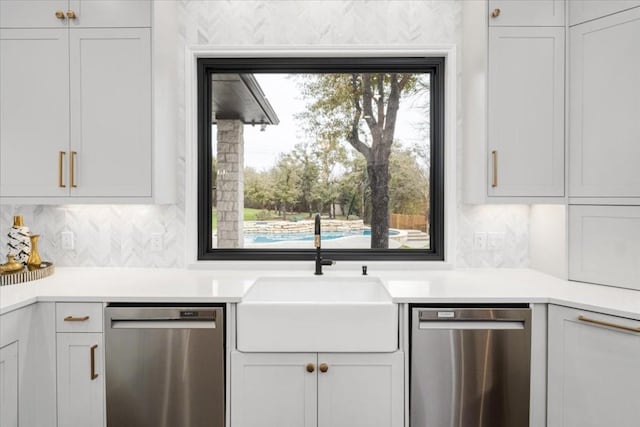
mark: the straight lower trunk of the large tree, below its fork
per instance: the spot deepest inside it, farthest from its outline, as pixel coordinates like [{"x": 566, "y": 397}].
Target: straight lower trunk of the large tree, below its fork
[{"x": 379, "y": 184}]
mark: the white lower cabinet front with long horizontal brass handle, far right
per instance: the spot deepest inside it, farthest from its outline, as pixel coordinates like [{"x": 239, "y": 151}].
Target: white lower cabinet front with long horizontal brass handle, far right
[{"x": 594, "y": 375}]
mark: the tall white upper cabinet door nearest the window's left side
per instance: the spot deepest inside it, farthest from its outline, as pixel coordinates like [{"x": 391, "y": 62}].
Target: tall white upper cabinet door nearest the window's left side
[{"x": 110, "y": 112}]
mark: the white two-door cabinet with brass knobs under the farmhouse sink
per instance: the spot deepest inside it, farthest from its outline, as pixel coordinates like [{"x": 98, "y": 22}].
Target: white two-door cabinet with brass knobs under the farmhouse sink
[{"x": 317, "y": 389}]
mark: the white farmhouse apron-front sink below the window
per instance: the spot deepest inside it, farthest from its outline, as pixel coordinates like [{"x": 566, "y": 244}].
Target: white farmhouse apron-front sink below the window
[{"x": 317, "y": 314}]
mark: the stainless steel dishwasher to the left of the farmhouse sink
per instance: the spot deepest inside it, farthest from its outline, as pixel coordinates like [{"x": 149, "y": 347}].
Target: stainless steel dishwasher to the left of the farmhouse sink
[{"x": 164, "y": 366}]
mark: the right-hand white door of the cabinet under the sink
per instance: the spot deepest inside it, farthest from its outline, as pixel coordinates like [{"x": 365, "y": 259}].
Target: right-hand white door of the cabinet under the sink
[{"x": 360, "y": 390}]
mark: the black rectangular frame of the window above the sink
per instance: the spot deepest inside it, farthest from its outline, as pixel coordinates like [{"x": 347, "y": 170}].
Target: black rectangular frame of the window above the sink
[{"x": 433, "y": 65}]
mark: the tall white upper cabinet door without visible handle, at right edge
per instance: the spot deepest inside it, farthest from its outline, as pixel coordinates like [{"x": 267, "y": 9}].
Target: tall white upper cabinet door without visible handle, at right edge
[{"x": 604, "y": 96}]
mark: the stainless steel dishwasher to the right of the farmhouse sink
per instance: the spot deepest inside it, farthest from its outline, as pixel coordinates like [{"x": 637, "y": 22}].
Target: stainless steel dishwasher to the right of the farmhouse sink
[{"x": 470, "y": 367}]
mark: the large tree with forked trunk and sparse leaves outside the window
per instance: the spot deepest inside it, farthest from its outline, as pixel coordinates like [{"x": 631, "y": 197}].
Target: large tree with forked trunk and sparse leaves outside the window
[{"x": 339, "y": 104}]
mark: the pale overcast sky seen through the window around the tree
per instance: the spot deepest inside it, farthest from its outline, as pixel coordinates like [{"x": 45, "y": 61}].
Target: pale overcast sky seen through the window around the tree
[{"x": 262, "y": 149}]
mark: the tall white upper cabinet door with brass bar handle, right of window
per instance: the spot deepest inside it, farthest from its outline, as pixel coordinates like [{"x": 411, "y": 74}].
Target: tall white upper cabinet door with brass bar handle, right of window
[{"x": 526, "y": 112}]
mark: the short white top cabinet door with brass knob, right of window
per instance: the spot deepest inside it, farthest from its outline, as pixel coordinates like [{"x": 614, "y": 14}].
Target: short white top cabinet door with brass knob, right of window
[{"x": 526, "y": 13}]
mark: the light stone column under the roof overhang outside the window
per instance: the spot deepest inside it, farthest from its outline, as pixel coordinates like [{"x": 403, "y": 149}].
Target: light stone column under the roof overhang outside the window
[{"x": 230, "y": 184}]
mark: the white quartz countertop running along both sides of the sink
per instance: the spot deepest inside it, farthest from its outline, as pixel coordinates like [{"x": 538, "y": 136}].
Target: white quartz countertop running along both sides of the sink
[{"x": 405, "y": 286}]
